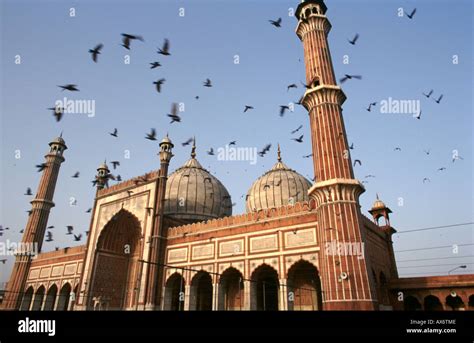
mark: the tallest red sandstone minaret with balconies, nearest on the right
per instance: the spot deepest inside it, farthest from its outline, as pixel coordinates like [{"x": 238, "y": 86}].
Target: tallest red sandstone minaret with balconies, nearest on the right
[{"x": 346, "y": 282}]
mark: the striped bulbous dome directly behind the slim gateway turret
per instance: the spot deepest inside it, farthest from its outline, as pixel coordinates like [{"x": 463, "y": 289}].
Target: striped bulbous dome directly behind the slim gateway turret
[{"x": 193, "y": 194}]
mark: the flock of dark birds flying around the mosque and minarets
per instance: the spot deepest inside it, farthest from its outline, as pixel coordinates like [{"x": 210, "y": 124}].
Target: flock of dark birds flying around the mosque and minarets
[{"x": 174, "y": 115}]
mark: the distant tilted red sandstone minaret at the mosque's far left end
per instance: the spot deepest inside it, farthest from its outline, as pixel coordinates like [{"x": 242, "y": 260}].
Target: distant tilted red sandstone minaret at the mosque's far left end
[{"x": 36, "y": 226}]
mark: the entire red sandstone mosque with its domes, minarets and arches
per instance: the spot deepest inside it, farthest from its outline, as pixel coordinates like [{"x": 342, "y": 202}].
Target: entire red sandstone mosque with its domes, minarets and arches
[{"x": 170, "y": 242}]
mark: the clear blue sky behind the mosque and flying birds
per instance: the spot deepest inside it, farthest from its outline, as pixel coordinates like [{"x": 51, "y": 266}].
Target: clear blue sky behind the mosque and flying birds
[{"x": 398, "y": 58}]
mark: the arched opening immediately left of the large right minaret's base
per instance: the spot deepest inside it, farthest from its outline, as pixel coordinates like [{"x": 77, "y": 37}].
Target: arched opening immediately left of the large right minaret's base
[{"x": 304, "y": 287}]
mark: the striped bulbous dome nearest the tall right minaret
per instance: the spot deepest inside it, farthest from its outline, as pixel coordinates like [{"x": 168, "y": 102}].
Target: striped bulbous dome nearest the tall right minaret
[{"x": 277, "y": 187}]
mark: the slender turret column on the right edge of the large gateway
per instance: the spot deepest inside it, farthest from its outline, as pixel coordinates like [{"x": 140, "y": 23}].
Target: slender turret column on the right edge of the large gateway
[{"x": 158, "y": 235}]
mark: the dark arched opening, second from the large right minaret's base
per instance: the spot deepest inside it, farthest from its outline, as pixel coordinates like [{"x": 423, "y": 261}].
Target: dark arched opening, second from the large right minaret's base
[{"x": 264, "y": 289}]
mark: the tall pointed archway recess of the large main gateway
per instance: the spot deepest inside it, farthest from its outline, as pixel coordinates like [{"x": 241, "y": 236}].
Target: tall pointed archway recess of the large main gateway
[{"x": 116, "y": 263}]
